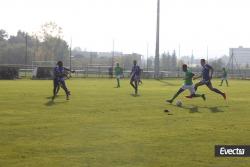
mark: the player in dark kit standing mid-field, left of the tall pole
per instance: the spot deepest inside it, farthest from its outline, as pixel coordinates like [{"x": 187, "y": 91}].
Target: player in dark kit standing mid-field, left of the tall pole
[{"x": 135, "y": 76}]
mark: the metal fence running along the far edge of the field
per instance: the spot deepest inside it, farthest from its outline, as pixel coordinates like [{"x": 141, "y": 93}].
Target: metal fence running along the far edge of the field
[{"x": 100, "y": 71}]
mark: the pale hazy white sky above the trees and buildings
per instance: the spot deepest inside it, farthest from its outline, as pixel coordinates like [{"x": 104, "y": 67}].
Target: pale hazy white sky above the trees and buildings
[{"x": 94, "y": 24}]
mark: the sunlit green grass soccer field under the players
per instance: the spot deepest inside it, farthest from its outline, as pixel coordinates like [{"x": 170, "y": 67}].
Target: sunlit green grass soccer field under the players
[{"x": 103, "y": 126}]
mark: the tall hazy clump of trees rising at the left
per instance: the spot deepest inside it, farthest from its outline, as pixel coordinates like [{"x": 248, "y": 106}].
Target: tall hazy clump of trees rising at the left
[{"x": 24, "y": 48}]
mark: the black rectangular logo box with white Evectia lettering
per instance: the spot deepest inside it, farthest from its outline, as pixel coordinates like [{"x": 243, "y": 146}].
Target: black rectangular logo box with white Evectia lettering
[{"x": 232, "y": 151}]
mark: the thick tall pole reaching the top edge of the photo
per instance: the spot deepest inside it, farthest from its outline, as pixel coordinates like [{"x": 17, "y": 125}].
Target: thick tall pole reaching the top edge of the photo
[{"x": 157, "y": 59}]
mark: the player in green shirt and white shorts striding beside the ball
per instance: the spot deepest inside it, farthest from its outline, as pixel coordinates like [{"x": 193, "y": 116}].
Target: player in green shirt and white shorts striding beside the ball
[{"x": 188, "y": 84}]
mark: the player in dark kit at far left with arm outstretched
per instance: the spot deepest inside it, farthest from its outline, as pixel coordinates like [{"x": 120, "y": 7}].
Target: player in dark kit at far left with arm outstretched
[{"x": 59, "y": 73}]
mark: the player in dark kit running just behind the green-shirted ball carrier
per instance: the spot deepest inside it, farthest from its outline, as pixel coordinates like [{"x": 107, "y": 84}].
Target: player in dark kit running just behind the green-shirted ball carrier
[{"x": 207, "y": 74}]
